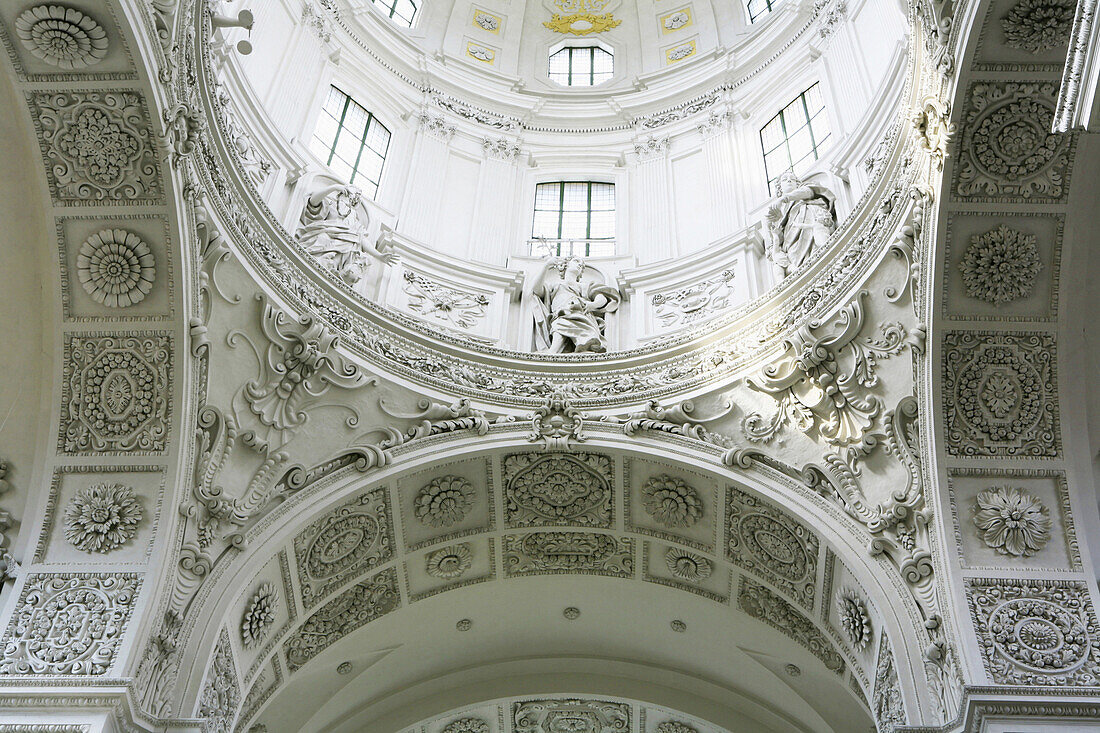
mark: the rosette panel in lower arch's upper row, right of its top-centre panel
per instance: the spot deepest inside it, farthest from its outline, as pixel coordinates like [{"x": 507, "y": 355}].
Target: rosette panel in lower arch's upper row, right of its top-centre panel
[{"x": 672, "y": 504}]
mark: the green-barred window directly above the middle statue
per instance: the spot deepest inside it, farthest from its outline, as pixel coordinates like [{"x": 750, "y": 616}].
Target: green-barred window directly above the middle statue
[{"x": 575, "y": 218}]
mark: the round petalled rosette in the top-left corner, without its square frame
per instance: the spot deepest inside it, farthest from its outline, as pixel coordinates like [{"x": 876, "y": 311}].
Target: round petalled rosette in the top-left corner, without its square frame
[{"x": 62, "y": 37}]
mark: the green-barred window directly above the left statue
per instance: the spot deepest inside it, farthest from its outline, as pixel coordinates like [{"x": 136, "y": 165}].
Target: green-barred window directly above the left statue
[{"x": 351, "y": 141}]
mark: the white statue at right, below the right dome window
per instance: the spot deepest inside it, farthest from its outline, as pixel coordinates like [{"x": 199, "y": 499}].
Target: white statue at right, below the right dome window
[{"x": 799, "y": 224}]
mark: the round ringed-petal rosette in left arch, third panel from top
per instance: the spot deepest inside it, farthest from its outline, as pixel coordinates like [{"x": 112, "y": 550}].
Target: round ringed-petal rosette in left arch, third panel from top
[{"x": 116, "y": 268}]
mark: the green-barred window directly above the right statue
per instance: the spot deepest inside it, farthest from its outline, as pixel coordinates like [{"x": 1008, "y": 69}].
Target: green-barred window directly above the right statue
[{"x": 794, "y": 139}]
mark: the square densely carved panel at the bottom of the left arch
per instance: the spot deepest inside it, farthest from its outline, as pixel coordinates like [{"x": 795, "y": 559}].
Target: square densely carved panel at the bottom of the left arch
[{"x": 69, "y": 625}]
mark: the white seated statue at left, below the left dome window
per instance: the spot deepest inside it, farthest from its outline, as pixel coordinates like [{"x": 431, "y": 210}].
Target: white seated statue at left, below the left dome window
[{"x": 332, "y": 231}]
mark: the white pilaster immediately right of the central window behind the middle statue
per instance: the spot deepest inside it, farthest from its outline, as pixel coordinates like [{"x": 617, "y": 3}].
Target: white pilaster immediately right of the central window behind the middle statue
[{"x": 652, "y": 234}]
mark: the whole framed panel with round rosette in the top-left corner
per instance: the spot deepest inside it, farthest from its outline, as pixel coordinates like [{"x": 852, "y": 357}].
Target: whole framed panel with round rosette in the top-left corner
[{"x": 48, "y": 41}]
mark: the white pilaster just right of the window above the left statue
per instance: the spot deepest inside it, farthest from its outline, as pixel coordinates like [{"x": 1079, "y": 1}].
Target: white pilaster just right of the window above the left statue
[{"x": 427, "y": 172}]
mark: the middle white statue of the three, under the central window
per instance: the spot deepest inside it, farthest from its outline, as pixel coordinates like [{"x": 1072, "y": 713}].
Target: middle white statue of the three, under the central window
[{"x": 568, "y": 312}]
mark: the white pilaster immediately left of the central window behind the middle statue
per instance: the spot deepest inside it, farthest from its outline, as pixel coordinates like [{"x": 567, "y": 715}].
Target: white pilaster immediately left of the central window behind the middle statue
[{"x": 497, "y": 203}]
